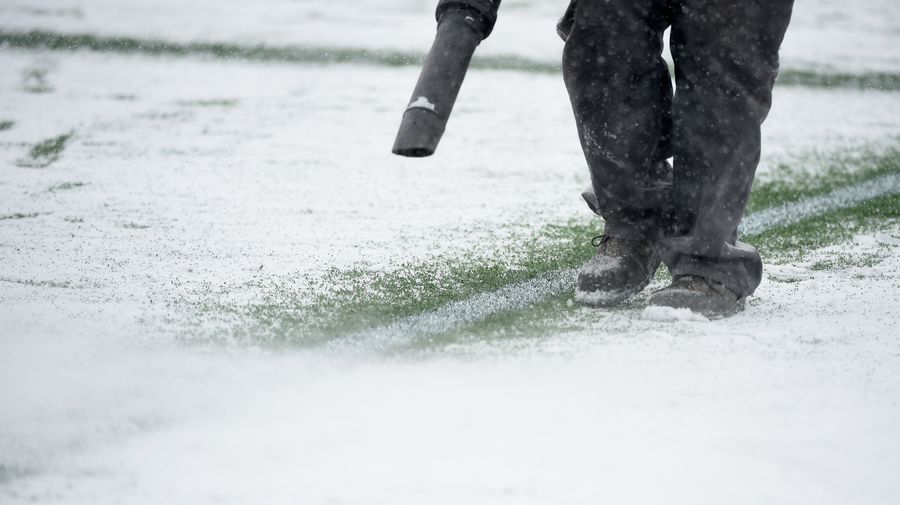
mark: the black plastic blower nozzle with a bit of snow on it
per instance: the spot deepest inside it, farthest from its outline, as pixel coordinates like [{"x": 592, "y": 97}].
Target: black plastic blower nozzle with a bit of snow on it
[{"x": 462, "y": 25}]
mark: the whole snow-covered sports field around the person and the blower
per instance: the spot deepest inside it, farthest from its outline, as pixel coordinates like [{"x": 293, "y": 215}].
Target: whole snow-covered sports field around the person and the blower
[{"x": 151, "y": 205}]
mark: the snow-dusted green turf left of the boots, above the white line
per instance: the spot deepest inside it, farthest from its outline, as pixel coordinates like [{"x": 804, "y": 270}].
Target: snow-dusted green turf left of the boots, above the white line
[{"x": 305, "y": 311}]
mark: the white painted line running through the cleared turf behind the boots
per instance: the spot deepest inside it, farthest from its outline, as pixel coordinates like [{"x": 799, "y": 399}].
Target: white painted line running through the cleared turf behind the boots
[{"x": 519, "y": 295}]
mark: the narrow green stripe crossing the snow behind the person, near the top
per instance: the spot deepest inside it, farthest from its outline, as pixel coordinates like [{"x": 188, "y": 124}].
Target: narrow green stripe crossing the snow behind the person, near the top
[{"x": 38, "y": 39}]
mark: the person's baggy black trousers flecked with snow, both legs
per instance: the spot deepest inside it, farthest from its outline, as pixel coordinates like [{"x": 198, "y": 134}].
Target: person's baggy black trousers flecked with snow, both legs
[{"x": 630, "y": 121}]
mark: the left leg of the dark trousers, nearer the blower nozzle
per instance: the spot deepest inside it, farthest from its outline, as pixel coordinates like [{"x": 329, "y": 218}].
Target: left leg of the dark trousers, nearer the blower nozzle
[{"x": 621, "y": 93}]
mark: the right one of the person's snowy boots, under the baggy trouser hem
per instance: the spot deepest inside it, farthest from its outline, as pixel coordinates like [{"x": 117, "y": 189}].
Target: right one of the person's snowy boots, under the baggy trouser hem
[{"x": 704, "y": 296}]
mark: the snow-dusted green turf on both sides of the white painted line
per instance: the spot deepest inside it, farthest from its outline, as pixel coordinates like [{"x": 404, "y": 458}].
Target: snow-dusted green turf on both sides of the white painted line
[{"x": 309, "y": 311}]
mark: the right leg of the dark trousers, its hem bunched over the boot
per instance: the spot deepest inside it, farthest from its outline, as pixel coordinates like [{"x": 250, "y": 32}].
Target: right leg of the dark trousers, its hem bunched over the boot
[{"x": 726, "y": 60}]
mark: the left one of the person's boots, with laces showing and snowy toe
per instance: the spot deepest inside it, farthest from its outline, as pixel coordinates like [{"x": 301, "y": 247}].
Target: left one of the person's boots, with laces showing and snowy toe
[{"x": 620, "y": 269}]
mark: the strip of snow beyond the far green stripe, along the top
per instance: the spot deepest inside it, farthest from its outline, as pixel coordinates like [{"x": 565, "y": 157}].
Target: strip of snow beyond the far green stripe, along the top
[{"x": 825, "y": 34}]
